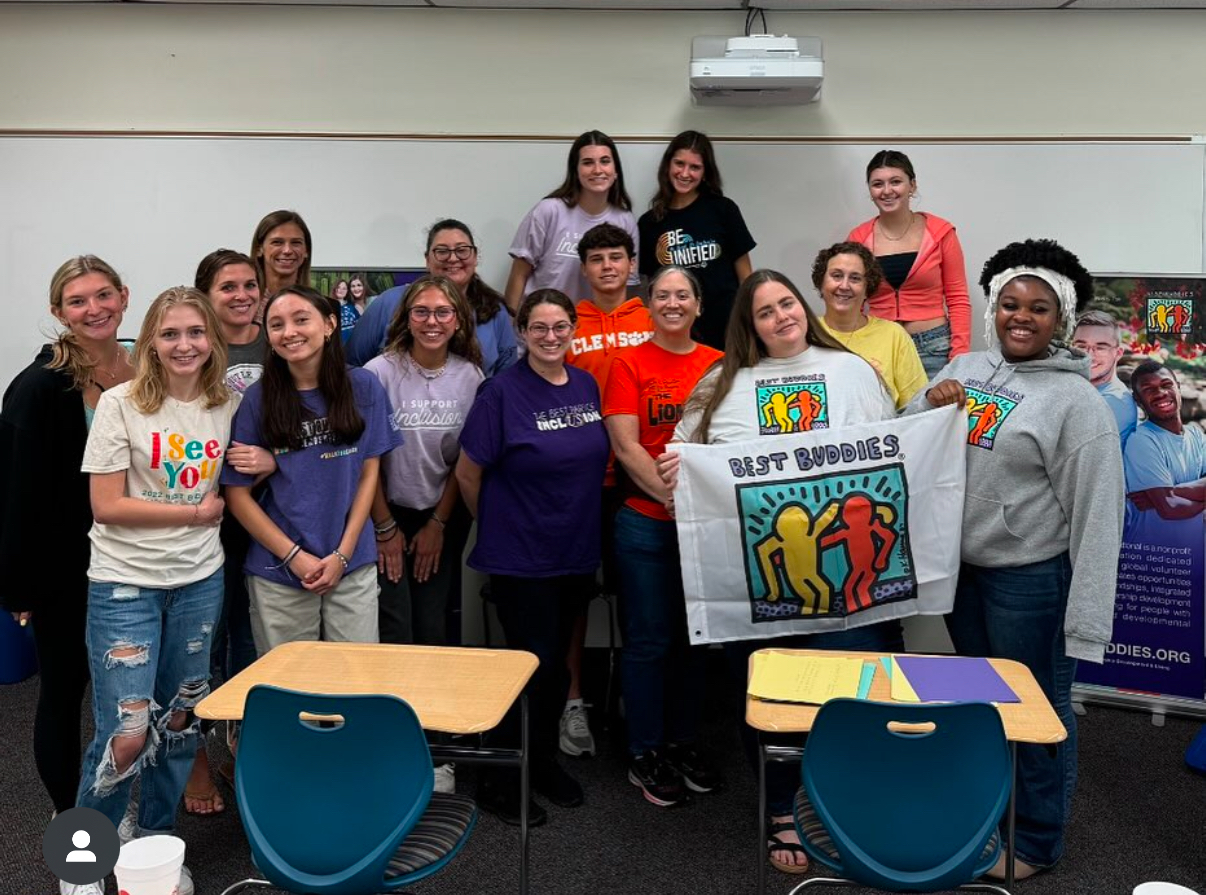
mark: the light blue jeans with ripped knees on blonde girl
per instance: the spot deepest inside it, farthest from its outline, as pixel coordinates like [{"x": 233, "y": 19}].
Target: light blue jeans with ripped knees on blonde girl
[{"x": 150, "y": 657}]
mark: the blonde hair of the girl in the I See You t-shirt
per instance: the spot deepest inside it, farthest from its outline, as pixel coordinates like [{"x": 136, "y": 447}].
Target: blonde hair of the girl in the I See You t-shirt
[{"x": 149, "y": 389}]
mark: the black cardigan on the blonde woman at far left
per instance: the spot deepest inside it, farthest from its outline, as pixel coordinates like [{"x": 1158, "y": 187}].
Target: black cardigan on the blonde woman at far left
[{"x": 45, "y": 506}]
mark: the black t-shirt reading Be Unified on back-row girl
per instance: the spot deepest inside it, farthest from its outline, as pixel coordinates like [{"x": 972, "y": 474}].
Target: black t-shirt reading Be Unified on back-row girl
[{"x": 706, "y": 238}]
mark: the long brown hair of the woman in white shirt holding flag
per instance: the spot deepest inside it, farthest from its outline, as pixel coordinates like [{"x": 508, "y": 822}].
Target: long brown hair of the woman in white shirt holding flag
[{"x": 745, "y": 349}]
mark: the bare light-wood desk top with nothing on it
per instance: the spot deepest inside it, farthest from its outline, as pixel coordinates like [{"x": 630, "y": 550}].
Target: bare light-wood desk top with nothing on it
[{"x": 452, "y": 689}]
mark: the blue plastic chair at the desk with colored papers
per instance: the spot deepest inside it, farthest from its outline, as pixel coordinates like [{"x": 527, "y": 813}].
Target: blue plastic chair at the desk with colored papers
[{"x": 905, "y": 811}]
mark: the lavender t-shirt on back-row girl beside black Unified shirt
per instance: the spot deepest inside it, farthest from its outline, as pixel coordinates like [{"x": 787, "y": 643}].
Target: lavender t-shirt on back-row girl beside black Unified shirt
[{"x": 548, "y": 241}]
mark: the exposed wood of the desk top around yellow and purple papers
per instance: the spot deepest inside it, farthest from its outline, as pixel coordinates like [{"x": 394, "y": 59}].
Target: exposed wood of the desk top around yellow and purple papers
[{"x": 1033, "y": 721}]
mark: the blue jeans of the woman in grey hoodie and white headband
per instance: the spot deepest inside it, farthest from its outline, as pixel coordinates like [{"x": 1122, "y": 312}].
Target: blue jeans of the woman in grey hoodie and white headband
[{"x": 1018, "y": 613}]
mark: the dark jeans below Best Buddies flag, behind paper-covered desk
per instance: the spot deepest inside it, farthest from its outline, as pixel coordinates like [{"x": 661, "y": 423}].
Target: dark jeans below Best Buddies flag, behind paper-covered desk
[{"x": 783, "y": 777}]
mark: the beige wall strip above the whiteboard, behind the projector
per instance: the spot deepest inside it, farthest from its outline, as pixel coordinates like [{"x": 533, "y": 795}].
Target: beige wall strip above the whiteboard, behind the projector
[{"x": 548, "y": 73}]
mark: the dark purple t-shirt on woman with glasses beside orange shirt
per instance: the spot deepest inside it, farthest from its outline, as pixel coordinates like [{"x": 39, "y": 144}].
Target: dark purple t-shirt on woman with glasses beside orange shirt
[{"x": 543, "y": 451}]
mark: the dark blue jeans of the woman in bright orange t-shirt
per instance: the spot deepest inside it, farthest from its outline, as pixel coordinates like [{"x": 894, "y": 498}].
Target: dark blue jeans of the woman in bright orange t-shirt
[{"x": 661, "y": 674}]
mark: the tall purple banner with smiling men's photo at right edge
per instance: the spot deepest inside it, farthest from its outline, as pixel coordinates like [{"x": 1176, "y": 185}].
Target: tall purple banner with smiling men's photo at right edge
[{"x": 1148, "y": 347}]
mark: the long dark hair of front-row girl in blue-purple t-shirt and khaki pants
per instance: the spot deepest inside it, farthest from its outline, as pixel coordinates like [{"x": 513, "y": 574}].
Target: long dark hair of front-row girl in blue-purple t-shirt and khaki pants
[{"x": 283, "y": 412}]
